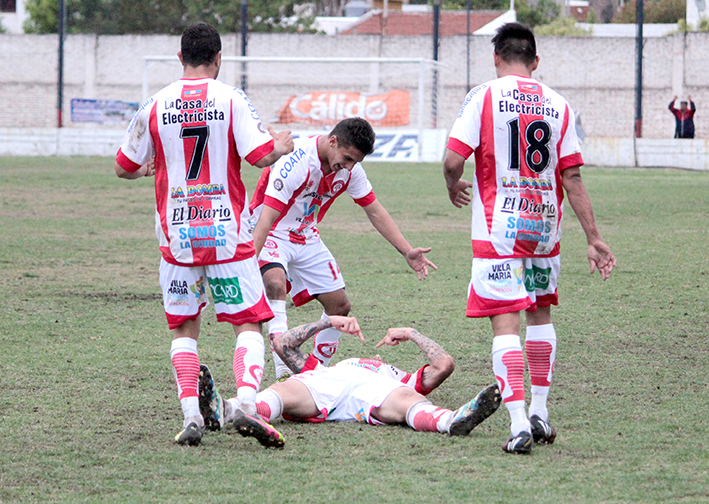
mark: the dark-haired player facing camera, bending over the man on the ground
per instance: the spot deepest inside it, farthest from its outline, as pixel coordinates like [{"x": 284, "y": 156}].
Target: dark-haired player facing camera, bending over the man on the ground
[{"x": 291, "y": 198}]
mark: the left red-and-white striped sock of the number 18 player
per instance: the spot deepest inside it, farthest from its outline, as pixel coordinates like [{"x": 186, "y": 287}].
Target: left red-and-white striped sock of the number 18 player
[{"x": 508, "y": 365}]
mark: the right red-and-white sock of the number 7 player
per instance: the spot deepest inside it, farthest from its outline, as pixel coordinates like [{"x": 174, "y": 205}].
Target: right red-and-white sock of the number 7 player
[{"x": 248, "y": 368}]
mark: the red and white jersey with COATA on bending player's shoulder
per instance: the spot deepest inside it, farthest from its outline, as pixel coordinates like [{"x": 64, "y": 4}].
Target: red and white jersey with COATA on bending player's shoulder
[{"x": 298, "y": 189}]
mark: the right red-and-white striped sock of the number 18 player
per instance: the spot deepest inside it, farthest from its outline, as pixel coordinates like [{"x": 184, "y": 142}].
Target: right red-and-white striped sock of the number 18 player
[{"x": 540, "y": 347}]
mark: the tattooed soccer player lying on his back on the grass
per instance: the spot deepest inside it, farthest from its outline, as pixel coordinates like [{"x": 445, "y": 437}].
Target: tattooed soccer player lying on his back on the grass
[{"x": 365, "y": 390}]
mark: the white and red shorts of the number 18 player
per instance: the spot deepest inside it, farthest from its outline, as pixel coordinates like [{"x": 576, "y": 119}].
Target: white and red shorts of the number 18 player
[{"x": 510, "y": 285}]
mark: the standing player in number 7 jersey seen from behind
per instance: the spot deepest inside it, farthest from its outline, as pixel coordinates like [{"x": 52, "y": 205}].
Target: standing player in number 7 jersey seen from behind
[{"x": 192, "y": 135}]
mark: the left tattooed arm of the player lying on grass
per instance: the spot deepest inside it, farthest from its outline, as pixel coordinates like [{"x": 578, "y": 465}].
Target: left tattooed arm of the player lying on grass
[{"x": 287, "y": 345}]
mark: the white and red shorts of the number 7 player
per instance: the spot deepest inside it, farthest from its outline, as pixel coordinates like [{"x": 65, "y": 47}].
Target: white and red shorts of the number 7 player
[{"x": 236, "y": 287}]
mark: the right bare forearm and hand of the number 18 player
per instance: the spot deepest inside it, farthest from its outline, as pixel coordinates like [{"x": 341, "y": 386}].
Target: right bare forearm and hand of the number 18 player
[{"x": 599, "y": 253}]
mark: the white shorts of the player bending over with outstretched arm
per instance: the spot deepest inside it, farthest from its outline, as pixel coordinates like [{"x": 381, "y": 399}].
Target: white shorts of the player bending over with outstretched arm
[{"x": 311, "y": 269}]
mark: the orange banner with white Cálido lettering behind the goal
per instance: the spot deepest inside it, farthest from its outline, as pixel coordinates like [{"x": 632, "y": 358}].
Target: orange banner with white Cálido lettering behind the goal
[{"x": 320, "y": 108}]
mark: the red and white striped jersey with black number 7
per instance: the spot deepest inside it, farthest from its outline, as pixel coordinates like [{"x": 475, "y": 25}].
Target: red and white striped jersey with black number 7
[{"x": 198, "y": 131}]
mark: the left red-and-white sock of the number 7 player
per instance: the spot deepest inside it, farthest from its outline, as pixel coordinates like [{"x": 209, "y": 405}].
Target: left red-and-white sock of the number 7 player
[{"x": 185, "y": 367}]
